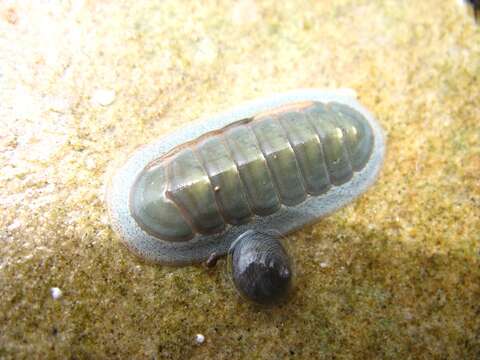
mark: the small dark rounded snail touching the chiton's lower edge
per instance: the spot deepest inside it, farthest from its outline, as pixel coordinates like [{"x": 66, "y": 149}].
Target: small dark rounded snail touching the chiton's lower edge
[{"x": 260, "y": 267}]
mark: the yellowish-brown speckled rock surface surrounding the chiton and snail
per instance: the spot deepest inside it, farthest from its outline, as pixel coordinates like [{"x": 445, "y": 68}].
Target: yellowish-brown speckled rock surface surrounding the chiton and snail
[{"x": 395, "y": 275}]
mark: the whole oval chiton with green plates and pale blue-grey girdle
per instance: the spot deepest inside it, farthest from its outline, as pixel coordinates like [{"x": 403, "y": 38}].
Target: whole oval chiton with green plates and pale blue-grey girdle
[{"x": 280, "y": 163}]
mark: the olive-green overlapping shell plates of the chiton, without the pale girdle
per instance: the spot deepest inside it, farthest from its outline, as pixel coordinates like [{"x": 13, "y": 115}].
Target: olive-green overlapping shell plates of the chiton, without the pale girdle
[{"x": 252, "y": 167}]
